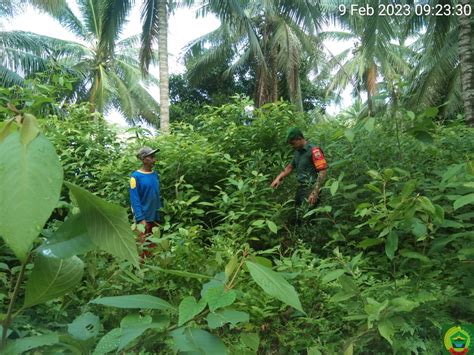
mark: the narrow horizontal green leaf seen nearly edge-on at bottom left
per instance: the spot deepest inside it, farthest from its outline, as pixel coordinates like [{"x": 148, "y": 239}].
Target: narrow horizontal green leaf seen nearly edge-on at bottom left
[{"x": 135, "y": 302}]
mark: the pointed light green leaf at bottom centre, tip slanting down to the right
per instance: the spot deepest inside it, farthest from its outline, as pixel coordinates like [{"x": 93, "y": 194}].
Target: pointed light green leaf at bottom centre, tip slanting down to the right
[{"x": 274, "y": 284}]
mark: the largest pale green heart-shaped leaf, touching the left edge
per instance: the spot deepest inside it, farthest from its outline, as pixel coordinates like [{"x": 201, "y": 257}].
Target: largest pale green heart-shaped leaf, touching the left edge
[{"x": 31, "y": 181}]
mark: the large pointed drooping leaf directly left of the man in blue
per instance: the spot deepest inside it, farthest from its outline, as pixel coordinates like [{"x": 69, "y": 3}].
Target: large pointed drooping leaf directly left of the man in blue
[{"x": 107, "y": 224}]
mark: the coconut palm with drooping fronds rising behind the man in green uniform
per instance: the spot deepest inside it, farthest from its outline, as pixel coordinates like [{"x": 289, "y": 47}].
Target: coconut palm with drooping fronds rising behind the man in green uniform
[{"x": 270, "y": 36}]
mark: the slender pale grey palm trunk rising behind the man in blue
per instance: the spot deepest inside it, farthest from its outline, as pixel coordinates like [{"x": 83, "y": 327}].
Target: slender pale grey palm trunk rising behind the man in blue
[{"x": 163, "y": 58}]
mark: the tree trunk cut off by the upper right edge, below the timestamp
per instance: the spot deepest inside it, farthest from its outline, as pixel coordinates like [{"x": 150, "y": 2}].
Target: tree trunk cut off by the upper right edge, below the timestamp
[{"x": 466, "y": 58}]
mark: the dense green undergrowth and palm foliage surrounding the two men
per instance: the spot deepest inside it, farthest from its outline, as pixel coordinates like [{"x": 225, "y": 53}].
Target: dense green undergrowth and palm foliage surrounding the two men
[{"x": 380, "y": 265}]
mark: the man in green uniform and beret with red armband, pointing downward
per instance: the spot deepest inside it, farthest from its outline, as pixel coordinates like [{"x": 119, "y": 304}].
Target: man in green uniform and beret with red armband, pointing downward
[{"x": 310, "y": 166}]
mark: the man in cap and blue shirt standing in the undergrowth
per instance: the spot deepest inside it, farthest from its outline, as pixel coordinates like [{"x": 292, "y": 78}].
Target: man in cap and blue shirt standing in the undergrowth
[{"x": 145, "y": 194}]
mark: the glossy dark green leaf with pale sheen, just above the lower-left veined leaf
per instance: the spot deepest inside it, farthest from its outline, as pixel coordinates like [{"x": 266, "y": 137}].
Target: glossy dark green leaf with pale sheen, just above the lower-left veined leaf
[{"x": 70, "y": 239}]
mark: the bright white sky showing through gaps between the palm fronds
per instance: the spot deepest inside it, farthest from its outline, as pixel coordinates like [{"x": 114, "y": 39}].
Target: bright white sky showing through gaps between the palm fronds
[{"x": 183, "y": 28}]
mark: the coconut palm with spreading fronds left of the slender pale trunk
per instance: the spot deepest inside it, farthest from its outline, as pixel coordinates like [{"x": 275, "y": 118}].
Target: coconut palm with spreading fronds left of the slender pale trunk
[{"x": 108, "y": 69}]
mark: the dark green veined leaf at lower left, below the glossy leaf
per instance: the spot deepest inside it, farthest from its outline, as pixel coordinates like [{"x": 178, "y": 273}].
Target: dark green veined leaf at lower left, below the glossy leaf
[{"x": 52, "y": 277}]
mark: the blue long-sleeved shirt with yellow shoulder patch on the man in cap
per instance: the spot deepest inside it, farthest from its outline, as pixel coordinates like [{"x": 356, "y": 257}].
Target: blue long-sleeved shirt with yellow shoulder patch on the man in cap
[{"x": 145, "y": 196}]
